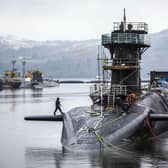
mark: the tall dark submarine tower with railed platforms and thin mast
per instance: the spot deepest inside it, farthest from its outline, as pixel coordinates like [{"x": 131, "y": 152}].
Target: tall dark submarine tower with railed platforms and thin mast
[{"x": 126, "y": 44}]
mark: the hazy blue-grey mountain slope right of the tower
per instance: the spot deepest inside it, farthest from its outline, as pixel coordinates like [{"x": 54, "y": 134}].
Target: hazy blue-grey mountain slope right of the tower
[{"x": 156, "y": 57}]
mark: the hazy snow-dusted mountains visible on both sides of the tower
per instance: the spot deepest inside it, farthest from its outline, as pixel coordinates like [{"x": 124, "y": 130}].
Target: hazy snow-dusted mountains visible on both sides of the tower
[{"x": 73, "y": 58}]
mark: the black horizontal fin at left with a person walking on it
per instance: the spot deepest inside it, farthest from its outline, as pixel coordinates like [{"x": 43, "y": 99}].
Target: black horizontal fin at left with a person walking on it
[{"x": 44, "y": 118}]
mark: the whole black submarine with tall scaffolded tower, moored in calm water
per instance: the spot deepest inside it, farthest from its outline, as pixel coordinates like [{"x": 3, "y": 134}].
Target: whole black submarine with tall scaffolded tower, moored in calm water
[{"x": 122, "y": 111}]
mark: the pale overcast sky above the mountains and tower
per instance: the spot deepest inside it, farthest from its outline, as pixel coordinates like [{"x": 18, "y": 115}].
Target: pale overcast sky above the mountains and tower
[{"x": 76, "y": 19}]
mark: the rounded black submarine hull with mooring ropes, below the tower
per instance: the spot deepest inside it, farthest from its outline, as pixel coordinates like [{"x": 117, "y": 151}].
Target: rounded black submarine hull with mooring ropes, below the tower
[{"x": 81, "y": 131}]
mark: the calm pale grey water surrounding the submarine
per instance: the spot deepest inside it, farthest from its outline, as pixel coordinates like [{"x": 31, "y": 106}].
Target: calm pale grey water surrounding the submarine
[{"x": 35, "y": 144}]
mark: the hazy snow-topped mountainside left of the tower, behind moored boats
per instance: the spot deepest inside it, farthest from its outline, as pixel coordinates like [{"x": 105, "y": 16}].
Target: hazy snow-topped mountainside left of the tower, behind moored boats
[{"x": 54, "y": 58}]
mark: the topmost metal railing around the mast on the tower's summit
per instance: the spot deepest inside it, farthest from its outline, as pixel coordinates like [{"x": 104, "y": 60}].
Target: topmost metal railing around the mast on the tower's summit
[{"x": 136, "y": 26}]
